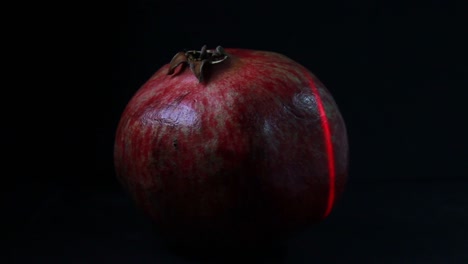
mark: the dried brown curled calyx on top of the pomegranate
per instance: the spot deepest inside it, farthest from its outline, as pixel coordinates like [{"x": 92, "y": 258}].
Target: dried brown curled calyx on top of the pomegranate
[{"x": 197, "y": 60}]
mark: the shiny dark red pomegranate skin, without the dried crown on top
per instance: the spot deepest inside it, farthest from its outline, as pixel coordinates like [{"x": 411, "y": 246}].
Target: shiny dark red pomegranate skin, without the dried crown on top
[{"x": 254, "y": 152}]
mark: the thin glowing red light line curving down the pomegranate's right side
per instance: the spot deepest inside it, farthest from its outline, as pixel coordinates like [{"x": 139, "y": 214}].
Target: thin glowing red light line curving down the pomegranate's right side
[{"x": 328, "y": 146}]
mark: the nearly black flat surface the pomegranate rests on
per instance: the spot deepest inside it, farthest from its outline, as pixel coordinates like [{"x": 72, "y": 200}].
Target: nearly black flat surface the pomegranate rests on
[{"x": 387, "y": 222}]
